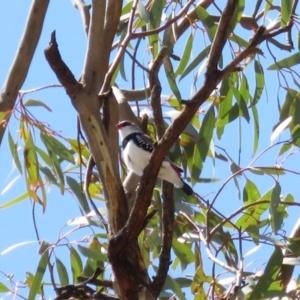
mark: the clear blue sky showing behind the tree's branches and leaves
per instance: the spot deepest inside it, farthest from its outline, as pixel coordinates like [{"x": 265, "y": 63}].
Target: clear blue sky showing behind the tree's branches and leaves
[{"x": 16, "y": 222}]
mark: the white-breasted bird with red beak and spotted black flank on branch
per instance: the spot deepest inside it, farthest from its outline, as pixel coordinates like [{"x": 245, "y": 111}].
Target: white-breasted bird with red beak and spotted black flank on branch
[{"x": 137, "y": 151}]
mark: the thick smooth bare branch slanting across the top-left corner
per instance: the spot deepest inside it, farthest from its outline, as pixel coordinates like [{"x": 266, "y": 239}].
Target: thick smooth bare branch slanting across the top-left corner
[{"x": 18, "y": 71}]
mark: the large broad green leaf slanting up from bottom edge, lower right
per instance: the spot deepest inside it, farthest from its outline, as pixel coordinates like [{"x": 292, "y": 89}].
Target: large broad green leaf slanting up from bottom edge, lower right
[{"x": 269, "y": 276}]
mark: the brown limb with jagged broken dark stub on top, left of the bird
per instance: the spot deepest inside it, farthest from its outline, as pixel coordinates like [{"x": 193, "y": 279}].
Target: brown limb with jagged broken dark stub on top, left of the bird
[{"x": 96, "y": 135}]
